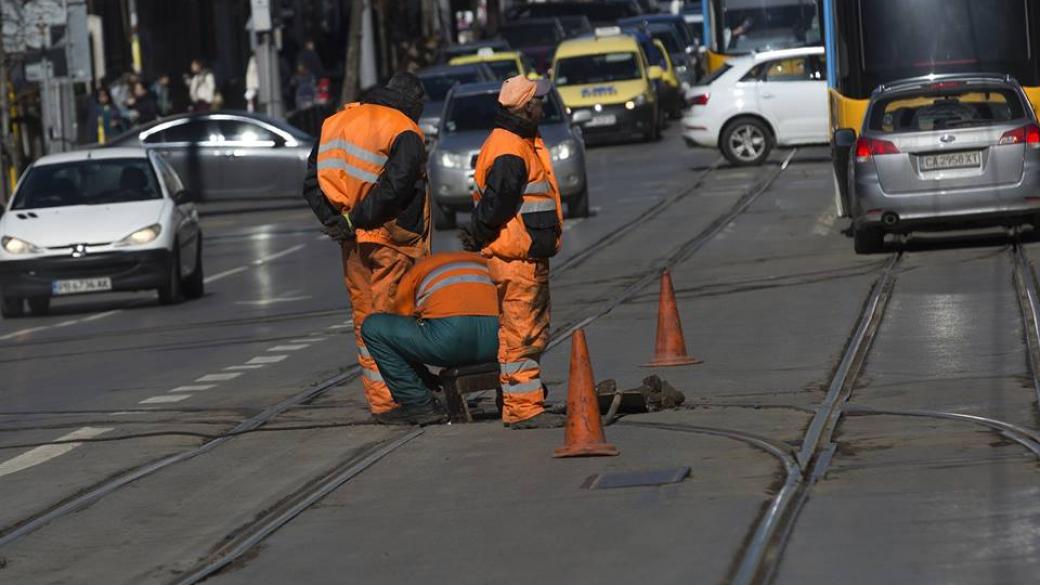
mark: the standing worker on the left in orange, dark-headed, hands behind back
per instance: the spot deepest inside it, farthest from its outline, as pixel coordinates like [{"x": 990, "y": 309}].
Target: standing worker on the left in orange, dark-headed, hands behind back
[{"x": 367, "y": 184}]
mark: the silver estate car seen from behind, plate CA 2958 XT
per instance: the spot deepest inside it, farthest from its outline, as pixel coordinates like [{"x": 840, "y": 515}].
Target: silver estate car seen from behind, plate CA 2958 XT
[{"x": 944, "y": 152}]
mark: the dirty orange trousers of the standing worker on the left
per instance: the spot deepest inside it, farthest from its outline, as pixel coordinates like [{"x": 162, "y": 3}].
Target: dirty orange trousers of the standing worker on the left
[{"x": 373, "y": 272}]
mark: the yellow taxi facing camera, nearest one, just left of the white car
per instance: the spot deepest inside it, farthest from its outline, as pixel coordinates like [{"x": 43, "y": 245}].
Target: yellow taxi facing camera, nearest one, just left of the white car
[{"x": 609, "y": 87}]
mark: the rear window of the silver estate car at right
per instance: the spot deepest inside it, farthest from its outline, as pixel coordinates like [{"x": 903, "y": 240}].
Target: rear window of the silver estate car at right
[{"x": 946, "y": 110}]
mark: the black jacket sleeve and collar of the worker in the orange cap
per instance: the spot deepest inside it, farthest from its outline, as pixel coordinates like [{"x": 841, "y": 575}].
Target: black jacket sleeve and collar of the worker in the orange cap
[{"x": 505, "y": 183}]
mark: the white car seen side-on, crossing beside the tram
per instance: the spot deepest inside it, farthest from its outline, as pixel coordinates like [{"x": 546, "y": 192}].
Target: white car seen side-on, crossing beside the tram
[{"x": 757, "y": 103}]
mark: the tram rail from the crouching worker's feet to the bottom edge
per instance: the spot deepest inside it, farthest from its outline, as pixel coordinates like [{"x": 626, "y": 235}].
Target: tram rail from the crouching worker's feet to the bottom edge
[{"x": 256, "y": 532}]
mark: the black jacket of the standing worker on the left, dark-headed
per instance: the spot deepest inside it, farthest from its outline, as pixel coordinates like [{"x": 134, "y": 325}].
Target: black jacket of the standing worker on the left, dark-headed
[{"x": 401, "y": 191}]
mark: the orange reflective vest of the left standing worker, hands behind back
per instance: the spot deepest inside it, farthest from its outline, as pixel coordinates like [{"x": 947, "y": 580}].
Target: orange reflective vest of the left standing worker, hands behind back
[{"x": 355, "y": 146}]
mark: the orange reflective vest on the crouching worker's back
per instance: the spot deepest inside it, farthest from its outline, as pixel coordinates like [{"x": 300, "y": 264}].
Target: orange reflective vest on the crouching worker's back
[{"x": 448, "y": 285}]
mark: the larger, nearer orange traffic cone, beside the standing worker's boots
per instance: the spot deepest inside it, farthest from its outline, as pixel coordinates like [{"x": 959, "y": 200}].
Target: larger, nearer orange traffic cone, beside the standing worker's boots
[{"x": 585, "y": 431}]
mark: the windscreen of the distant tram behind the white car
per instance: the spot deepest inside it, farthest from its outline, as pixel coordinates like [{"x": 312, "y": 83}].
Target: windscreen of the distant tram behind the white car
[{"x": 764, "y": 26}]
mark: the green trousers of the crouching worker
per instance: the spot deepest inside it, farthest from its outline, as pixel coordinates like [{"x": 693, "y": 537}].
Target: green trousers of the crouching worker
[{"x": 402, "y": 346}]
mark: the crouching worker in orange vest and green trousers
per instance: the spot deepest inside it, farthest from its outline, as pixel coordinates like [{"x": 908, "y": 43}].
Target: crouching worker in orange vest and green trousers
[{"x": 446, "y": 315}]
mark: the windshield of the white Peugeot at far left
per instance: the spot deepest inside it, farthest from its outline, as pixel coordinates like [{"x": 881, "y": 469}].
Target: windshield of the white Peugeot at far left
[{"x": 88, "y": 183}]
